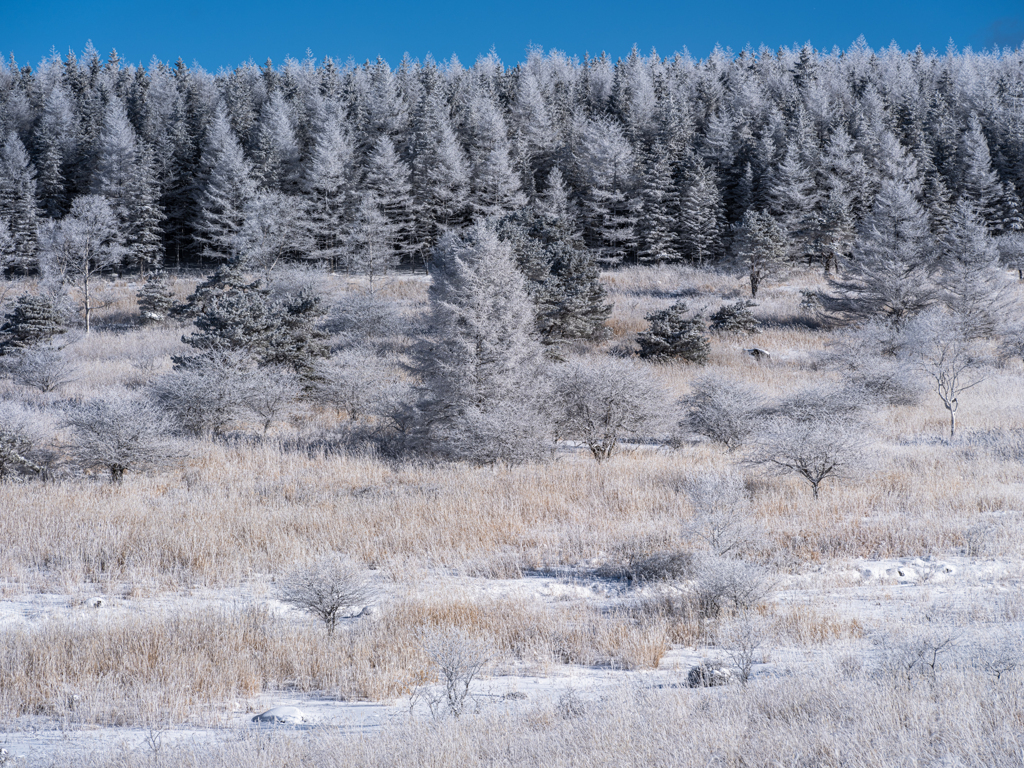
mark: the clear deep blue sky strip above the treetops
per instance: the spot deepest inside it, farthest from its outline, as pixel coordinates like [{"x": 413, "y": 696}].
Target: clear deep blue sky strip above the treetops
[{"x": 223, "y": 33}]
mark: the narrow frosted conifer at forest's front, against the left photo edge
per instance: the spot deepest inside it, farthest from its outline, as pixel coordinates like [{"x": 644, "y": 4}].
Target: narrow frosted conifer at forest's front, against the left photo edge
[{"x": 18, "y": 201}]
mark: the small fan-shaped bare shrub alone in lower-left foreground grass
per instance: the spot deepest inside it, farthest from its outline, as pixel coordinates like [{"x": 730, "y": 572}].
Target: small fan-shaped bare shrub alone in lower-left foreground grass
[{"x": 328, "y": 587}]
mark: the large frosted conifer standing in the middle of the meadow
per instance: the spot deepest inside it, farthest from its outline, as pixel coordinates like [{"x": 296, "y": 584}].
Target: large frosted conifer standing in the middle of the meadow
[{"x": 480, "y": 397}]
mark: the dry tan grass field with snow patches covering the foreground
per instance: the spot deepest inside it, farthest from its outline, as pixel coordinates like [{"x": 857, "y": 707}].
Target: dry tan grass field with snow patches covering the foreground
[{"x": 888, "y": 630}]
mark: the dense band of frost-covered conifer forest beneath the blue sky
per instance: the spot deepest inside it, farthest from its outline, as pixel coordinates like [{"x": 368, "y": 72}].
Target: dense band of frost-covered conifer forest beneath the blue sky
[{"x": 655, "y": 160}]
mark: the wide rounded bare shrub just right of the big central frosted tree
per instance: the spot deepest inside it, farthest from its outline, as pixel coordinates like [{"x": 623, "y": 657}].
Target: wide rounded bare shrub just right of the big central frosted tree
[{"x": 602, "y": 404}]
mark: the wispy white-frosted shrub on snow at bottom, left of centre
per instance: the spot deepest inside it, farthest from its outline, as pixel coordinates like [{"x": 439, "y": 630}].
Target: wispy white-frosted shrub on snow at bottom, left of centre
[{"x": 457, "y": 659}]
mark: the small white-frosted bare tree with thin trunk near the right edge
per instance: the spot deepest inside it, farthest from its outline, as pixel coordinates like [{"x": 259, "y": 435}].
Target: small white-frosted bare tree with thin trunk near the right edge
[{"x": 941, "y": 348}]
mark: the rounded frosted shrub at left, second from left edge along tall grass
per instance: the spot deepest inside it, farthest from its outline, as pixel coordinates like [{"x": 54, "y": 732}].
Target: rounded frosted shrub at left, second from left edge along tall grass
[{"x": 119, "y": 436}]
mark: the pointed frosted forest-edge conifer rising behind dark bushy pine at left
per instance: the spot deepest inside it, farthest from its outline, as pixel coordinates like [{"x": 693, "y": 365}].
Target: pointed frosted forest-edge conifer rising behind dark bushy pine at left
[{"x": 228, "y": 188}]
